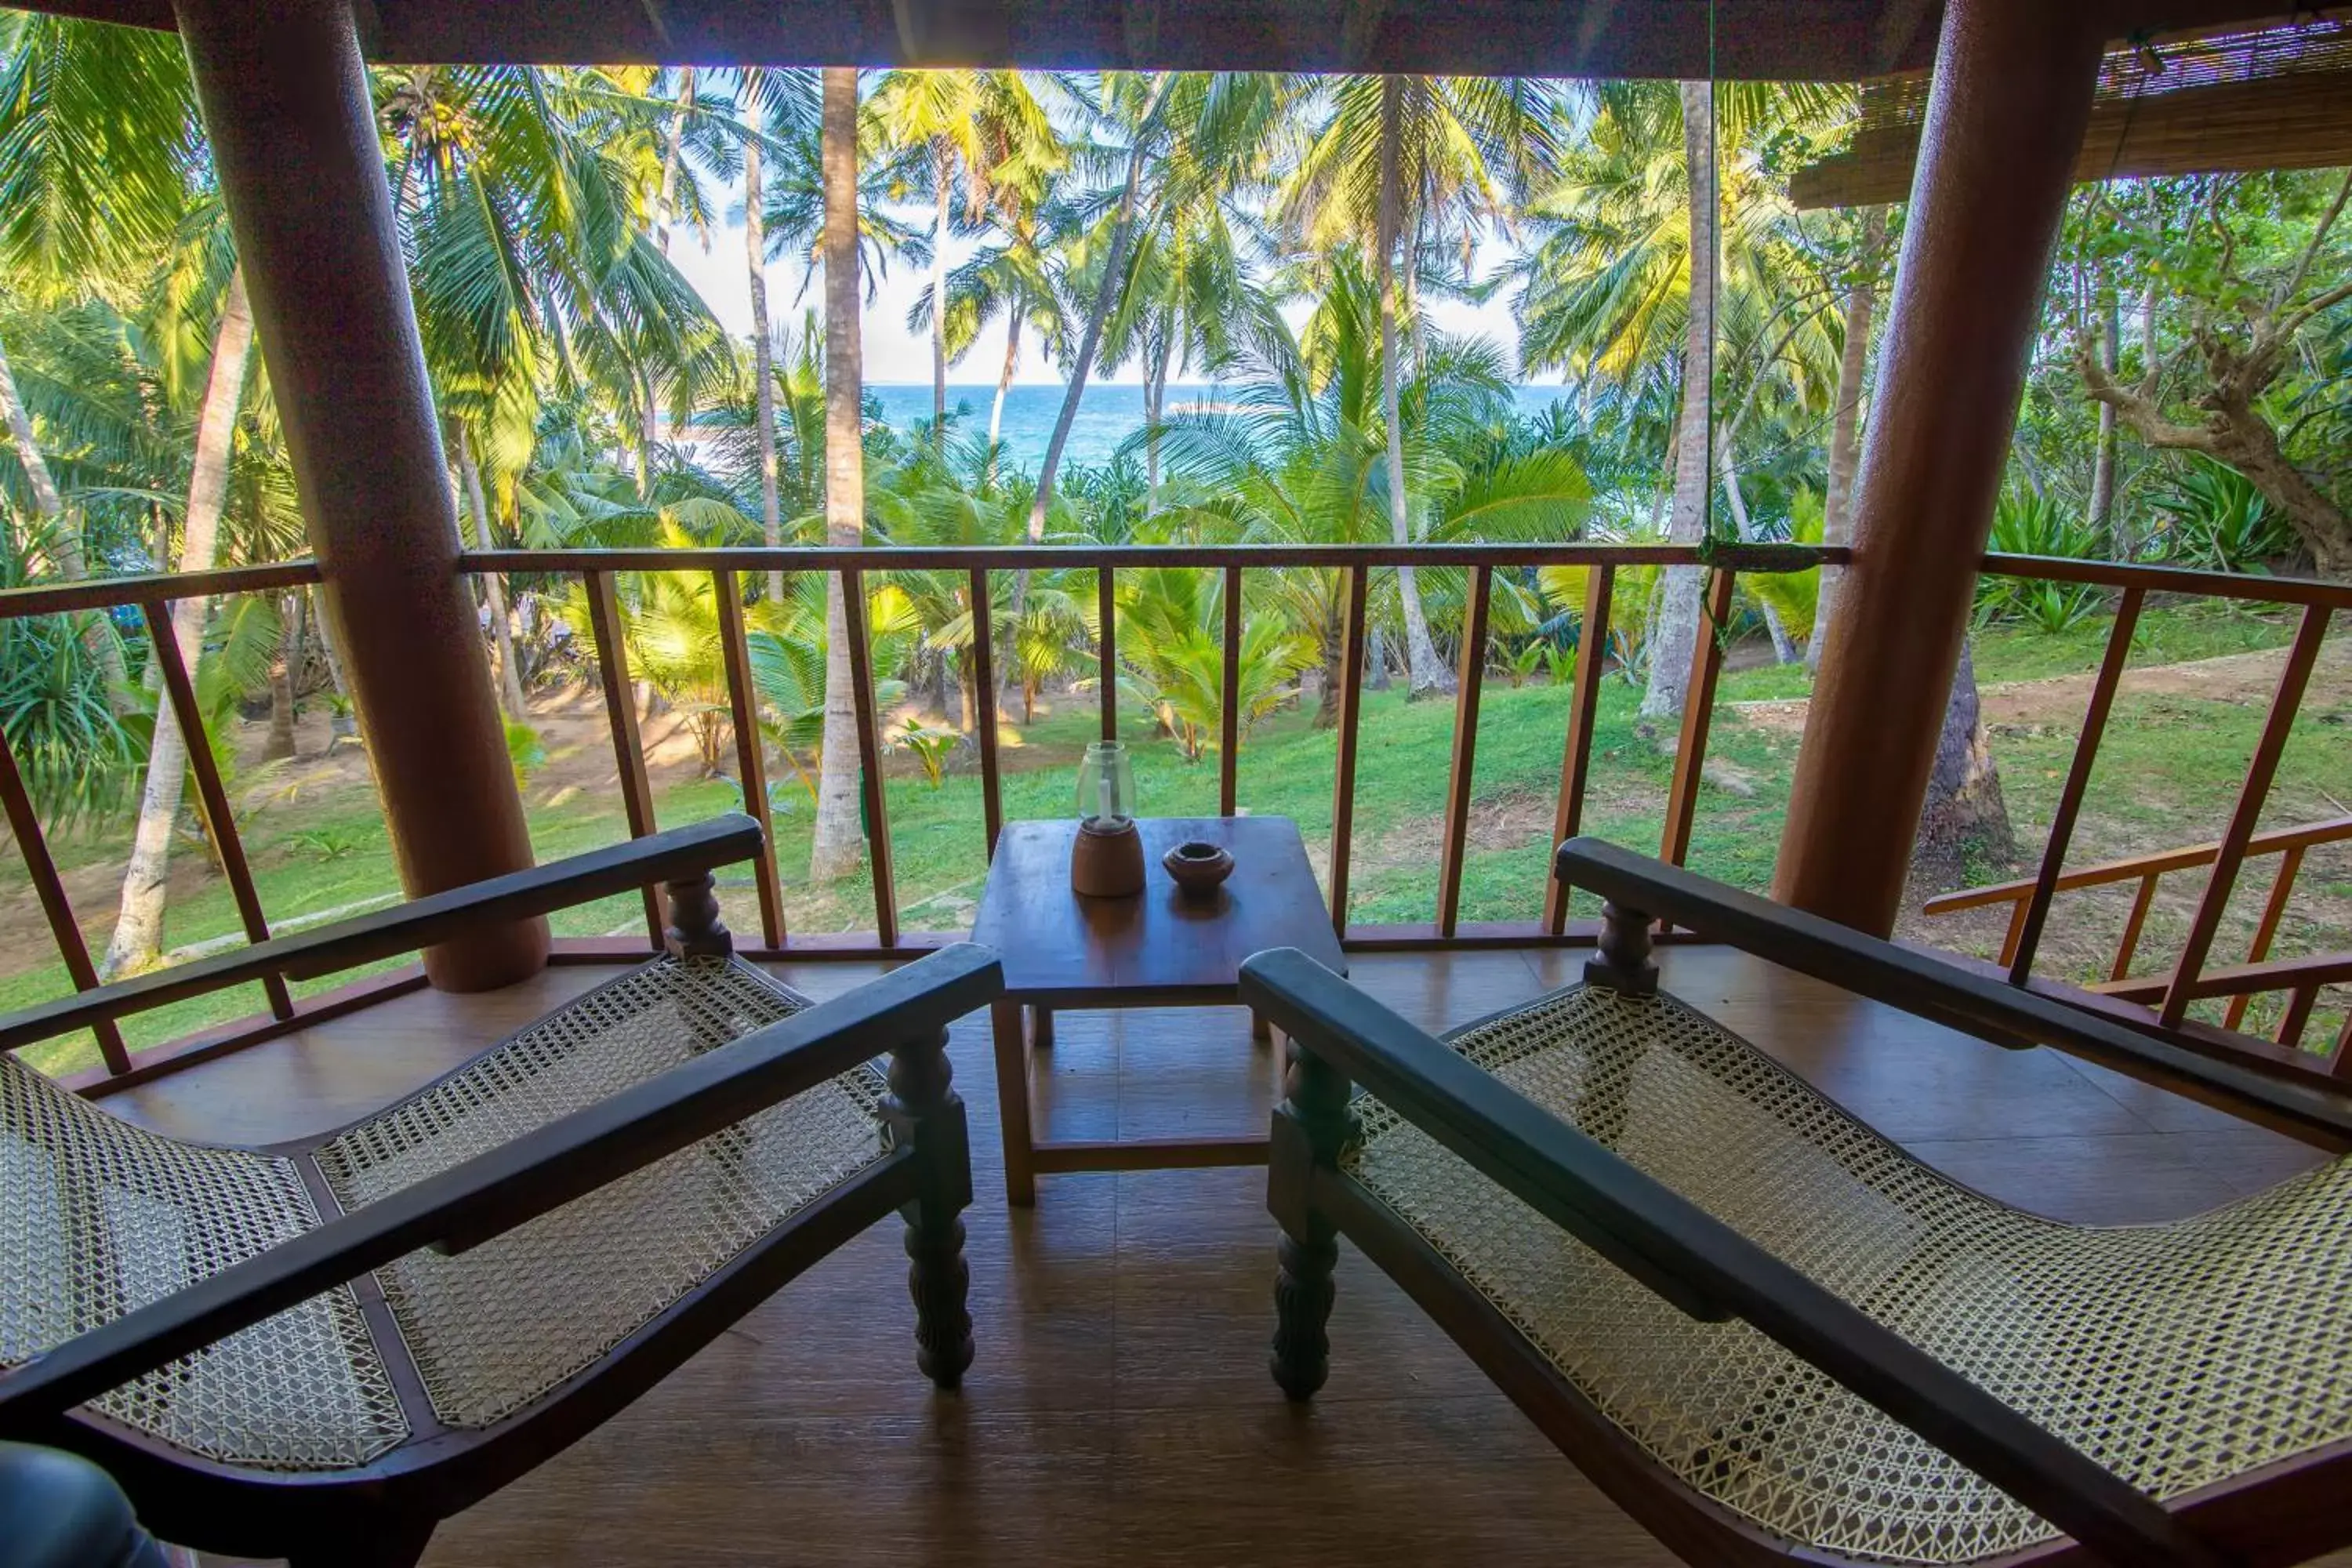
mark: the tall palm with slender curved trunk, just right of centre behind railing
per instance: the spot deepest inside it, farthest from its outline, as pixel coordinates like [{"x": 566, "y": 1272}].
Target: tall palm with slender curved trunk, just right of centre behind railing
[{"x": 1396, "y": 156}]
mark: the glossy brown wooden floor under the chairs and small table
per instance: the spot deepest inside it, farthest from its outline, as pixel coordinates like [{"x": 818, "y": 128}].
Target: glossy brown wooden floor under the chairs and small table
[{"x": 1118, "y": 1407}]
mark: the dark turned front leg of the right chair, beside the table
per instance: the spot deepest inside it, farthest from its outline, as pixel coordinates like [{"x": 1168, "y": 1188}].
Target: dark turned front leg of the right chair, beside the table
[{"x": 1311, "y": 1130}]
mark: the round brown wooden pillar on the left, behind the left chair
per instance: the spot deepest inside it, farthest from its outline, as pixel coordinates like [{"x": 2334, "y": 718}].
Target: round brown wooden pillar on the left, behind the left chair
[{"x": 302, "y": 173}]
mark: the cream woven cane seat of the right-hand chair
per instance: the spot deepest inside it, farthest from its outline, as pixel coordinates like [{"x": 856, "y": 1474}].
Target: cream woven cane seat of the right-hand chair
[{"x": 2174, "y": 1355}]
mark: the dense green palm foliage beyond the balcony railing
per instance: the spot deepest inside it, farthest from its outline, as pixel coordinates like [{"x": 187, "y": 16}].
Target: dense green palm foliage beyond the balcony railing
[{"x": 1304, "y": 243}]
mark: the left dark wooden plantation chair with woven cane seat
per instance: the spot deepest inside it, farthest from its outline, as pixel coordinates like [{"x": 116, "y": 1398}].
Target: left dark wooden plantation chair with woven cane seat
[{"x": 319, "y": 1351}]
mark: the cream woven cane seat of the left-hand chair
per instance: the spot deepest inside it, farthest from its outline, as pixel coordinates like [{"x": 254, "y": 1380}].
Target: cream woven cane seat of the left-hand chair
[{"x": 100, "y": 1217}]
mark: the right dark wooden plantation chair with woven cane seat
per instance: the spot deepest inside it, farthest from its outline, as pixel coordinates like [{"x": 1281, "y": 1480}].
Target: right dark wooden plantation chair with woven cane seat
[{"x": 1775, "y": 1336}]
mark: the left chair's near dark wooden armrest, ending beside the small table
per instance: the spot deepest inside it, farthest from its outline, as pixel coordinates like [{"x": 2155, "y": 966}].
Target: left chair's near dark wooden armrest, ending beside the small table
[{"x": 519, "y": 1181}]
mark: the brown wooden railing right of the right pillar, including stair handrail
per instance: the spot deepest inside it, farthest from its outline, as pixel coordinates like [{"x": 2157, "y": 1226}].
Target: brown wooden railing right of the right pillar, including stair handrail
[{"x": 2189, "y": 979}]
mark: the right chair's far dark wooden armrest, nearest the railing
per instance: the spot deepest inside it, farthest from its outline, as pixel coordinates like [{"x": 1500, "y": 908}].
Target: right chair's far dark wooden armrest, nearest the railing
[{"x": 1937, "y": 991}]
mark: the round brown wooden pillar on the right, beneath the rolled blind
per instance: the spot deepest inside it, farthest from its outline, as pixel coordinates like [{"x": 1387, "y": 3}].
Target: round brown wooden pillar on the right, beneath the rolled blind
[{"x": 2005, "y": 123}]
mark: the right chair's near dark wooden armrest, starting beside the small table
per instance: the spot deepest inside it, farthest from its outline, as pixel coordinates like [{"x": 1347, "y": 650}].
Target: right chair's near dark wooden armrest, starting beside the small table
[{"x": 1699, "y": 1264}]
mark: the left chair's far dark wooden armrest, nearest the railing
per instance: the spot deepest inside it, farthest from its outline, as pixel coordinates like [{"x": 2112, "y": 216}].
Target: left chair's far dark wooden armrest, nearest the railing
[{"x": 422, "y": 923}]
